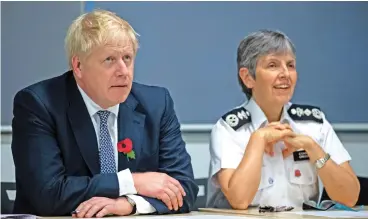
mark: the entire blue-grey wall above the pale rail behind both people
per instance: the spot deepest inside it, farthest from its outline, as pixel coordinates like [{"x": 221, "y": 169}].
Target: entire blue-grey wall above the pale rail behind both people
[{"x": 190, "y": 48}]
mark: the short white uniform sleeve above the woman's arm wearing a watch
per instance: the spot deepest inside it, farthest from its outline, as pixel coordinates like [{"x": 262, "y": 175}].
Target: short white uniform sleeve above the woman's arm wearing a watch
[{"x": 333, "y": 145}]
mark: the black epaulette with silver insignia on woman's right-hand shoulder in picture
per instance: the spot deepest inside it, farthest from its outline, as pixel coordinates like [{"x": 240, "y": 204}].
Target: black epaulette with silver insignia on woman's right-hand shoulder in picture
[{"x": 306, "y": 113}]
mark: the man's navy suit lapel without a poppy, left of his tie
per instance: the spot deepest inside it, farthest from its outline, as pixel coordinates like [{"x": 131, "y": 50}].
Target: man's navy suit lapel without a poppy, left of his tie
[{"x": 82, "y": 127}]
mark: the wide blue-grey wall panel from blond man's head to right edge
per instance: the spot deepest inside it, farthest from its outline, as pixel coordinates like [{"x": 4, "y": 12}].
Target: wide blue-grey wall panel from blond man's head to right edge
[{"x": 190, "y": 47}]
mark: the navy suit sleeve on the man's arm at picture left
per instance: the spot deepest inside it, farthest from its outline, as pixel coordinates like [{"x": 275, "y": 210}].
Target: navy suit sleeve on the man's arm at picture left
[{"x": 40, "y": 173}]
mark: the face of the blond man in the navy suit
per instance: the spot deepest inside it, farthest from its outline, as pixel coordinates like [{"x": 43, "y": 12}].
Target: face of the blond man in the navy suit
[{"x": 106, "y": 75}]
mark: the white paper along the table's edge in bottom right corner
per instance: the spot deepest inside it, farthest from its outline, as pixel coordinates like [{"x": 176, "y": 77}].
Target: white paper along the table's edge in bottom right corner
[{"x": 333, "y": 214}]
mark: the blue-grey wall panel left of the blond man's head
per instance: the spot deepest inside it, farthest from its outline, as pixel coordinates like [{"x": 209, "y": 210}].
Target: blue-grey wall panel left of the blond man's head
[{"x": 32, "y": 45}]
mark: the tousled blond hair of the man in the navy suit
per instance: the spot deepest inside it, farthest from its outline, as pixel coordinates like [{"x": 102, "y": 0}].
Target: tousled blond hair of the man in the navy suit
[{"x": 97, "y": 28}]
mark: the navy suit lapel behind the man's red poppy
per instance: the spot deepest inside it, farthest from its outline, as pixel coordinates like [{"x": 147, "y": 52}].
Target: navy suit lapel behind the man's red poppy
[{"x": 130, "y": 125}]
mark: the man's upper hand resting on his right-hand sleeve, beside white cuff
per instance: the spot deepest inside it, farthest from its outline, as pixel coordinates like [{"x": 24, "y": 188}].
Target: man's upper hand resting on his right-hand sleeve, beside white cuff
[{"x": 160, "y": 186}]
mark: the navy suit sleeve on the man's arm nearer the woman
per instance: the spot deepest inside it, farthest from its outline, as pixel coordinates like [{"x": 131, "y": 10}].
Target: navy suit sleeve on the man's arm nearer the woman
[{"x": 174, "y": 160}]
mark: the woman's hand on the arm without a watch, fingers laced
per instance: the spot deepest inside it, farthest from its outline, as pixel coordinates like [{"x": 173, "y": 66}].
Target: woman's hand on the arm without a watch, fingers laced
[{"x": 273, "y": 133}]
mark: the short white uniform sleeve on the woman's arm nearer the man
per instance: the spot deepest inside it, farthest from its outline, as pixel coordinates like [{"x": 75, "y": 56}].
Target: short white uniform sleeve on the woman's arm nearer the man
[{"x": 225, "y": 151}]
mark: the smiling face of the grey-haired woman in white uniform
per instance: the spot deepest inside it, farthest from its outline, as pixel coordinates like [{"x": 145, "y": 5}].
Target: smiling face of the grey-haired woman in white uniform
[{"x": 275, "y": 79}]
